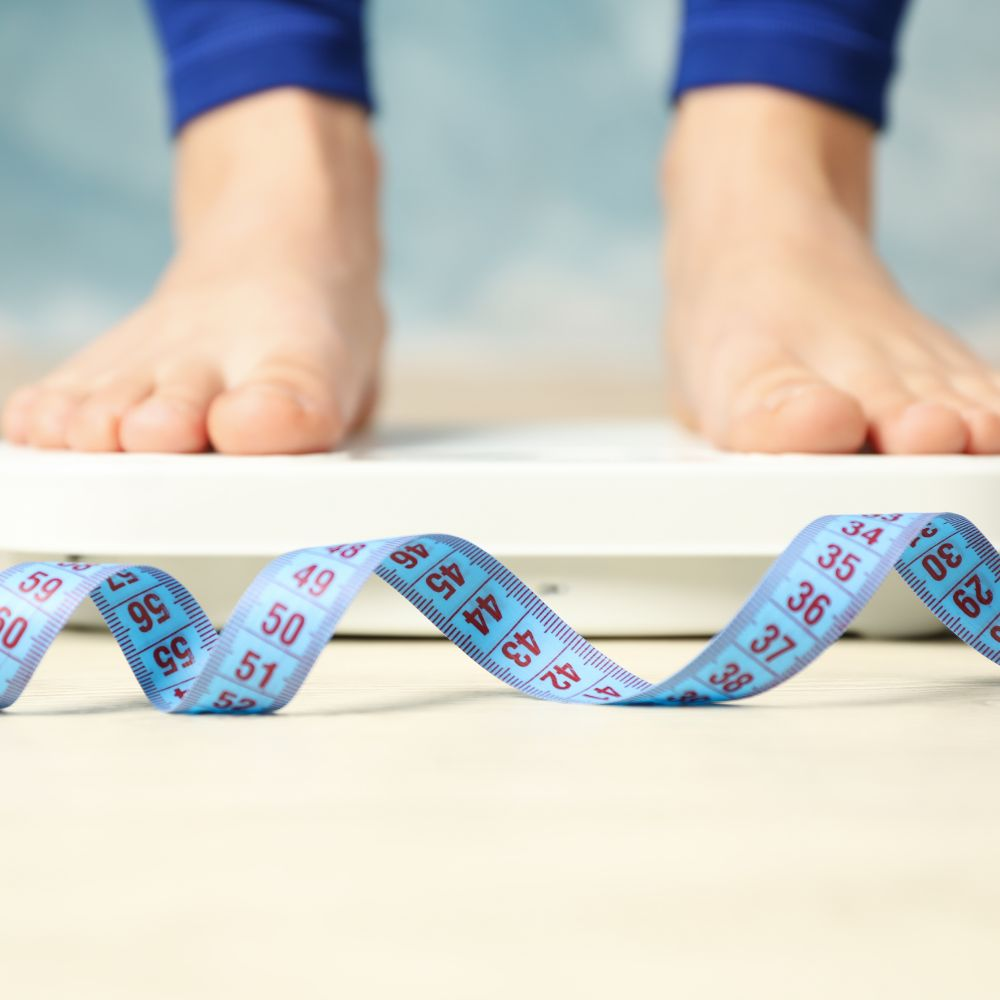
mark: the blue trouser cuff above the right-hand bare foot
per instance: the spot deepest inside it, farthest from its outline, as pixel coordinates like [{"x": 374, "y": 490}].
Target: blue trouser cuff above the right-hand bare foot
[{"x": 838, "y": 51}]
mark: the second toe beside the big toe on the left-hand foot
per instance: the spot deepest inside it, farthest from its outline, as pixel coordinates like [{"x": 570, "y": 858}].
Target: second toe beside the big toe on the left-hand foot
[{"x": 173, "y": 417}]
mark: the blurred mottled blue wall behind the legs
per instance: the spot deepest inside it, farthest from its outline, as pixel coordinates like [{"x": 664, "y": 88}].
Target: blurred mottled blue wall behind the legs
[{"x": 521, "y": 140}]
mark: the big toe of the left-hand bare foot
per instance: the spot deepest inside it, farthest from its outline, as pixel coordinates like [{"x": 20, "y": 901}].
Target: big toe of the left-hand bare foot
[{"x": 275, "y": 416}]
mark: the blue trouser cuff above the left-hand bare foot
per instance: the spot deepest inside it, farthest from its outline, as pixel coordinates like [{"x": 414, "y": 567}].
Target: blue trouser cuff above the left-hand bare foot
[{"x": 219, "y": 50}]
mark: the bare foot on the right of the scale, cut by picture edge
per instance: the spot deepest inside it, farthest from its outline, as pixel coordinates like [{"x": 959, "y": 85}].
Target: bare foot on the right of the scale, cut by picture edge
[{"x": 785, "y": 332}]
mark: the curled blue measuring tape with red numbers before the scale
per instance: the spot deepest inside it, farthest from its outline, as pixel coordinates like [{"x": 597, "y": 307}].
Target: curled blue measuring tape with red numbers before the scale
[{"x": 803, "y": 603}]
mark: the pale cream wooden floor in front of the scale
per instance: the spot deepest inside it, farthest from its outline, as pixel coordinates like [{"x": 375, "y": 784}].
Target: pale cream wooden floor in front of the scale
[{"x": 410, "y": 828}]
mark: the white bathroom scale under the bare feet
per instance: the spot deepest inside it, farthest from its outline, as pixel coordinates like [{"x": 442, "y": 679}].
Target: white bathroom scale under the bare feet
[{"x": 626, "y": 529}]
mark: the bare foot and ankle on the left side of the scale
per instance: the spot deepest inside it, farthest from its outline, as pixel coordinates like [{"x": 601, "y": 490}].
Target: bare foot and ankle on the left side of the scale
[{"x": 265, "y": 332}]
